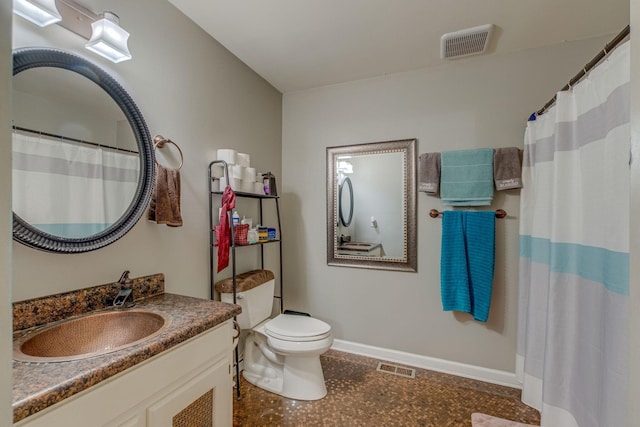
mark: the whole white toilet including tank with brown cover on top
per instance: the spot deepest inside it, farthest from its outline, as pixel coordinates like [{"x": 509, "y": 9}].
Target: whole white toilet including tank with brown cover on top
[{"x": 281, "y": 355}]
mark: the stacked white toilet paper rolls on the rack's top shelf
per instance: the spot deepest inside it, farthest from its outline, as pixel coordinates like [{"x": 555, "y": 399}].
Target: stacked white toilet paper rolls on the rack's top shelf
[{"x": 242, "y": 177}]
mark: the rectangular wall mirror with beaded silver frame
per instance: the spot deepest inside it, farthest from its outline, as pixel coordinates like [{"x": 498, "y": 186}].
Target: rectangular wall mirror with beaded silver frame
[{"x": 374, "y": 226}]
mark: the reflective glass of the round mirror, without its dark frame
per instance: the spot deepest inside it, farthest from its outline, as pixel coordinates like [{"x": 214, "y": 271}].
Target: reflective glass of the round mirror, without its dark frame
[{"x": 75, "y": 160}]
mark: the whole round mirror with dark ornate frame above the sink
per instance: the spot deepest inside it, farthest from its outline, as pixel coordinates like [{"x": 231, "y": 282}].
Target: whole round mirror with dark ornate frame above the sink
[{"x": 82, "y": 154}]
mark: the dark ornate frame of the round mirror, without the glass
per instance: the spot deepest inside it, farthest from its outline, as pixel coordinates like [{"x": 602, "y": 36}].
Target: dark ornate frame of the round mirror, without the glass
[{"x": 23, "y": 232}]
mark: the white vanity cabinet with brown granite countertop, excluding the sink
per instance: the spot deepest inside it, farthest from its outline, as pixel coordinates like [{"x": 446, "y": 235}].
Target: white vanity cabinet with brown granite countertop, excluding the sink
[{"x": 180, "y": 377}]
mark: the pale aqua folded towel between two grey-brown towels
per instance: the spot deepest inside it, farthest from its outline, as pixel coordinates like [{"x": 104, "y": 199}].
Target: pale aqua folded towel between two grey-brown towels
[{"x": 466, "y": 178}]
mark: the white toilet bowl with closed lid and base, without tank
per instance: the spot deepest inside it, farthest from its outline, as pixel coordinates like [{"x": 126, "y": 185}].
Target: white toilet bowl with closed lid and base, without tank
[{"x": 282, "y": 355}]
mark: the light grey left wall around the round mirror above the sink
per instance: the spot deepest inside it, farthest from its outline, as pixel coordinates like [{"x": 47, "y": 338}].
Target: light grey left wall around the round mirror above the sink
[{"x": 190, "y": 89}]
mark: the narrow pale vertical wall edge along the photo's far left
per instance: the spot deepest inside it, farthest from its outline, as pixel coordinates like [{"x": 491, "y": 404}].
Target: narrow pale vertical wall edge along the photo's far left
[{"x": 6, "y": 414}]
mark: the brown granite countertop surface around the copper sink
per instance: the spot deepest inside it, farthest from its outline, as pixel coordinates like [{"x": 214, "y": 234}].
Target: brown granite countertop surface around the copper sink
[{"x": 37, "y": 386}]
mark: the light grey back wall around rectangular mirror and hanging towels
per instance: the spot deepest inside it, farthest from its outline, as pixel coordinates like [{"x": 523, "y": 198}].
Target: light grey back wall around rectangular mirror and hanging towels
[{"x": 472, "y": 103}]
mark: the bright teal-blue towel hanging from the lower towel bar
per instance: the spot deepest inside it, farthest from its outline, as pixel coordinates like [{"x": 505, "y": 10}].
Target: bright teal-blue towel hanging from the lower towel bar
[{"x": 467, "y": 261}]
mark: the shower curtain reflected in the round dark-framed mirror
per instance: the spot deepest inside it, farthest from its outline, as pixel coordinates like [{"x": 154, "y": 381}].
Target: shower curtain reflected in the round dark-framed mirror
[{"x": 70, "y": 190}]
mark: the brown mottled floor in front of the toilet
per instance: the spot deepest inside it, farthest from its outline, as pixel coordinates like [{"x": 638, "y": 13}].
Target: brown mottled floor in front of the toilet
[{"x": 359, "y": 395}]
